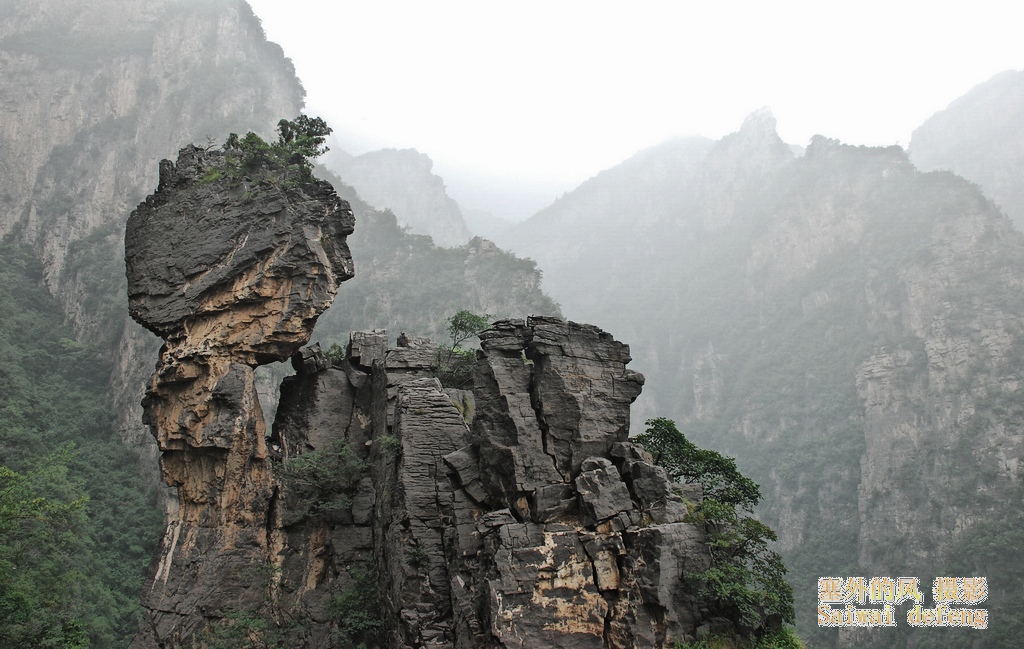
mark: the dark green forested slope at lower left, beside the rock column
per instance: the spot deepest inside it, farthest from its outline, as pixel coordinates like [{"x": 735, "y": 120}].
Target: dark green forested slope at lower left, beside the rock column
[{"x": 84, "y": 578}]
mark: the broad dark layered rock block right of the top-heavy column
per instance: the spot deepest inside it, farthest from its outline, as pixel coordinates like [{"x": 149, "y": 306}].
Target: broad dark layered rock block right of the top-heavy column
[{"x": 486, "y": 517}]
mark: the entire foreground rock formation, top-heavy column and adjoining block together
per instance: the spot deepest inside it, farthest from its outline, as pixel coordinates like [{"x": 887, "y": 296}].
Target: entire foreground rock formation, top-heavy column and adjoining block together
[{"x": 385, "y": 509}]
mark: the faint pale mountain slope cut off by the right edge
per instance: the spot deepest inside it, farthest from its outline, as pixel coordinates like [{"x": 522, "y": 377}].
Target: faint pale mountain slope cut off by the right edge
[{"x": 980, "y": 137}]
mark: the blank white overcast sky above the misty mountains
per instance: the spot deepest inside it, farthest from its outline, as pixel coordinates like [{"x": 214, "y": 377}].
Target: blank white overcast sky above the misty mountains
[{"x": 558, "y": 91}]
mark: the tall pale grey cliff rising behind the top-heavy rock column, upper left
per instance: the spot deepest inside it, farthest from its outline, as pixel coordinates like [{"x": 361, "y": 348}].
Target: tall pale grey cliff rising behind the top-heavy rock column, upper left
[{"x": 95, "y": 94}]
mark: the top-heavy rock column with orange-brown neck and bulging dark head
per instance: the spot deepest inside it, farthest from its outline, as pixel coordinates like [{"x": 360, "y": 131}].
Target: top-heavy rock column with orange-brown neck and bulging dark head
[{"x": 231, "y": 274}]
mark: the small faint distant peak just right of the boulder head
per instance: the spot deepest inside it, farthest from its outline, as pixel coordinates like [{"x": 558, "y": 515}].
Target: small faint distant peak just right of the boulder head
[{"x": 403, "y": 182}]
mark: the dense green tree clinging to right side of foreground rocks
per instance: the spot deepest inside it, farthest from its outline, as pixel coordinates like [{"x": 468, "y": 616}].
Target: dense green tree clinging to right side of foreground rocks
[{"x": 747, "y": 579}]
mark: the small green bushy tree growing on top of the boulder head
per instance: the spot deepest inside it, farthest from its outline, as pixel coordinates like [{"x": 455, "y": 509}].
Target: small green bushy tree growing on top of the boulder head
[{"x": 298, "y": 142}]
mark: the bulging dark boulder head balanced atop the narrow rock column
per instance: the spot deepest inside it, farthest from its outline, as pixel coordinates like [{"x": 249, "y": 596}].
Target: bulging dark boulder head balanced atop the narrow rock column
[{"x": 242, "y": 269}]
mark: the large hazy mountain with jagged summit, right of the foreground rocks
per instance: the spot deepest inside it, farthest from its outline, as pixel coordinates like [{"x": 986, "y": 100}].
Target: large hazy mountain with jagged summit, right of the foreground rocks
[{"x": 848, "y": 327}]
